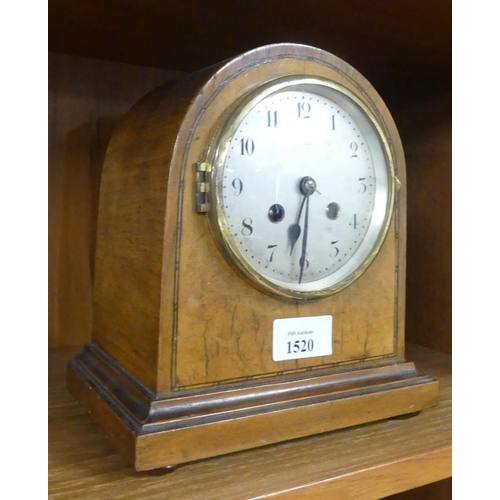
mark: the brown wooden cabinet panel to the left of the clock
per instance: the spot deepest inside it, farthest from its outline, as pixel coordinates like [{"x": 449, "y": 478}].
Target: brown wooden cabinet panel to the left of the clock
[{"x": 87, "y": 98}]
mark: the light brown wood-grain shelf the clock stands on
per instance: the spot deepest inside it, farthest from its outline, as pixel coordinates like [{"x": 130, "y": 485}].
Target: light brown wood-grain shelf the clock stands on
[{"x": 366, "y": 462}]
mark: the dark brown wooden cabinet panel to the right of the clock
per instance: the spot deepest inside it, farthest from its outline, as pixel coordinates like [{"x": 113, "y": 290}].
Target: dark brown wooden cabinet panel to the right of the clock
[{"x": 426, "y": 132}]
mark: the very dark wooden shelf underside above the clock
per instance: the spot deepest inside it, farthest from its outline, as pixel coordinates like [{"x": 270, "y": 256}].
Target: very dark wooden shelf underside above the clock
[{"x": 395, "y": 44}]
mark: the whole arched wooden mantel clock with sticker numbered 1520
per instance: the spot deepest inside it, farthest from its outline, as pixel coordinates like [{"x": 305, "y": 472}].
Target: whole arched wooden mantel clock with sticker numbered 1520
[{"x": 250, "y": 262}]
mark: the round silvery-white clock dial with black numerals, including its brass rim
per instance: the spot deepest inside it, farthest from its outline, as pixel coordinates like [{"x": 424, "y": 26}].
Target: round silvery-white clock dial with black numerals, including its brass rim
[{"x": 303, "y": 186}]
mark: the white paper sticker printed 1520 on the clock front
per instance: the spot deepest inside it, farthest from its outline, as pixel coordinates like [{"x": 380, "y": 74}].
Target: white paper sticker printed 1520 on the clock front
[{"x": 296, "y": 338}]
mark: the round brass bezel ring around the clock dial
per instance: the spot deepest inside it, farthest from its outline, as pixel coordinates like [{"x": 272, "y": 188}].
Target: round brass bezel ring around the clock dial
[{"x": 217, "y": 153}]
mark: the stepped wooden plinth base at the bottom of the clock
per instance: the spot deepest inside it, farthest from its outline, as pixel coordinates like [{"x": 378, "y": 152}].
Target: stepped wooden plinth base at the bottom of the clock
[{"x": 153, "y": 433}]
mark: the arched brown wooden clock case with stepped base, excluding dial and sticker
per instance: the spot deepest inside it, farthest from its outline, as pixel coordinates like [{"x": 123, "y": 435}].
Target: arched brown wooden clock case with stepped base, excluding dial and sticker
[{"x": 180, "y": 364}]
